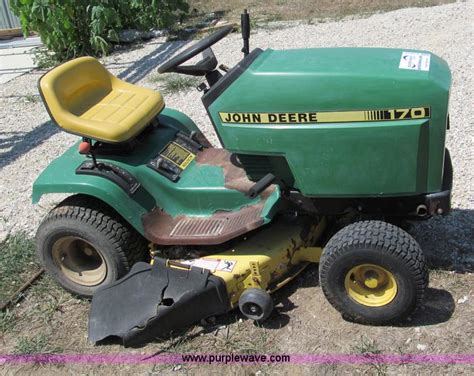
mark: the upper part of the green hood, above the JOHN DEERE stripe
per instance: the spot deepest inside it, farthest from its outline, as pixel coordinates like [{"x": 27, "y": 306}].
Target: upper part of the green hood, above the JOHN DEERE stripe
[{"x": 335, "y": 79}]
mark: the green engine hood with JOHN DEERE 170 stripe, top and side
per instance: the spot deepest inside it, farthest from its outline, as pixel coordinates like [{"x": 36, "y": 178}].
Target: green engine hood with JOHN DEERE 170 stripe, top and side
[{"x": 345, "y": 157}]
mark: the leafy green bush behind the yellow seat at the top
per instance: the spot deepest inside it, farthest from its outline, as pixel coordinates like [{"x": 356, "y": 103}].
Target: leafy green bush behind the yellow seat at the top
[{"x": 71, "y": 28}]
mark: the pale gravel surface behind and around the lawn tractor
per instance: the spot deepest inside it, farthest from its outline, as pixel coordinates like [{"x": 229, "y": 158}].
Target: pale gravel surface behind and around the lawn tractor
[{"x": 28, "y": 142}]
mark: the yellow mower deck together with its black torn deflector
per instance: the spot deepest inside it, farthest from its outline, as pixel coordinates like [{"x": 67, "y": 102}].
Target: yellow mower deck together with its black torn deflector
[{"x": 153, "y": 300}]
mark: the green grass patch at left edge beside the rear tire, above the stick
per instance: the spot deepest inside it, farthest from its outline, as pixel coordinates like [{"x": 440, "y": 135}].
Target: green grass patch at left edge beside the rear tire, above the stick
[{"x": 17, "y": 263}]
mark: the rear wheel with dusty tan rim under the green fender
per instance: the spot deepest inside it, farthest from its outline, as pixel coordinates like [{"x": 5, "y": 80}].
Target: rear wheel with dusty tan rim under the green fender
[{"x": 84, "y": 244}]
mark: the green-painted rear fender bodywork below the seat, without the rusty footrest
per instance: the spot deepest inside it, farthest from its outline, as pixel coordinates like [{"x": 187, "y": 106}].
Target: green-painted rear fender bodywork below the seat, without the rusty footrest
[{"x": 155, "y": 191}]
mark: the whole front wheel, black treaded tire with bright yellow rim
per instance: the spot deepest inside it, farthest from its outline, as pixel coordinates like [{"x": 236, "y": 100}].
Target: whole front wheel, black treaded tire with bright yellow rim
[{"x": 373, "y": 273}]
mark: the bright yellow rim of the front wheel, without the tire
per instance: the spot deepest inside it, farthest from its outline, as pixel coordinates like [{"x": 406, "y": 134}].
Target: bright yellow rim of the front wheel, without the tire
[{"x": 371, "y": 285}]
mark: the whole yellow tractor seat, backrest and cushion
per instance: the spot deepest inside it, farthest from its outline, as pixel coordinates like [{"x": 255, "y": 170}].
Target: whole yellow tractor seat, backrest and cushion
[{"x": 84, "y": 98}]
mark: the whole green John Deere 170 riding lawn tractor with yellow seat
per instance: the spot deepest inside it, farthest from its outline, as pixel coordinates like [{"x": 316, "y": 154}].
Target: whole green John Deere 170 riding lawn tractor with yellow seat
[{"x": 163, "y": 230}]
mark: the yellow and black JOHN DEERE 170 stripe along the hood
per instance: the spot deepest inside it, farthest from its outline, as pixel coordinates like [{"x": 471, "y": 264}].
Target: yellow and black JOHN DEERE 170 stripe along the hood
[{"x": 324, "y": 117}]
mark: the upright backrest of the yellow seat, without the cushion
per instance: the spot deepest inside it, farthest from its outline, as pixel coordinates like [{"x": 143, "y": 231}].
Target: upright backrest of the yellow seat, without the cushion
[{"x": 74, "y": 86}]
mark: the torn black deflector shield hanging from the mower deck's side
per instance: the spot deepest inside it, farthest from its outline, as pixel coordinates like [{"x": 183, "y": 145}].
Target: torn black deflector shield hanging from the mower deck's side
[{"x": 153, "y": 300}]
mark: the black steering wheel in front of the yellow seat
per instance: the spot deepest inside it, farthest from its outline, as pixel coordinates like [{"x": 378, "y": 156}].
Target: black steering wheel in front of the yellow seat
[{"x": 206, "y": 65}]
